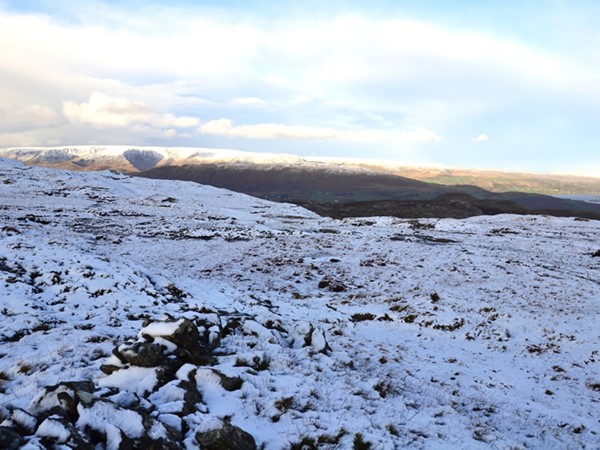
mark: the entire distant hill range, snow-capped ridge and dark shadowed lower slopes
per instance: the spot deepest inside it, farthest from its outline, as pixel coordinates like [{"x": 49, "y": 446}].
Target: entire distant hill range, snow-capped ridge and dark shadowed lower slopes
[{"x": 336, "y": 188}]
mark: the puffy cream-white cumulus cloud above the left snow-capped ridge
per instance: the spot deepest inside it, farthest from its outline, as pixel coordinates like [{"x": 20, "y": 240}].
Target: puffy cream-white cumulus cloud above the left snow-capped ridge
[{"x": 103, "y": 110}]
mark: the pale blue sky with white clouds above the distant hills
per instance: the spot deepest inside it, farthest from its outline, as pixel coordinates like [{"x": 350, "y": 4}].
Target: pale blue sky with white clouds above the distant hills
[{"x": 496, "y": 84}]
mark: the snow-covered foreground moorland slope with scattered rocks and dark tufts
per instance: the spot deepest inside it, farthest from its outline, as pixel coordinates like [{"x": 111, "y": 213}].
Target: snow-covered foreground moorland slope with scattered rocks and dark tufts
[{"x": 136, "y": 312}]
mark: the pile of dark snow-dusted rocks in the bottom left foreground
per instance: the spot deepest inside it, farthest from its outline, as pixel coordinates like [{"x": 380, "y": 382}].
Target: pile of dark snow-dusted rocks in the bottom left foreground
[{"x": 149, "y": 390}]
